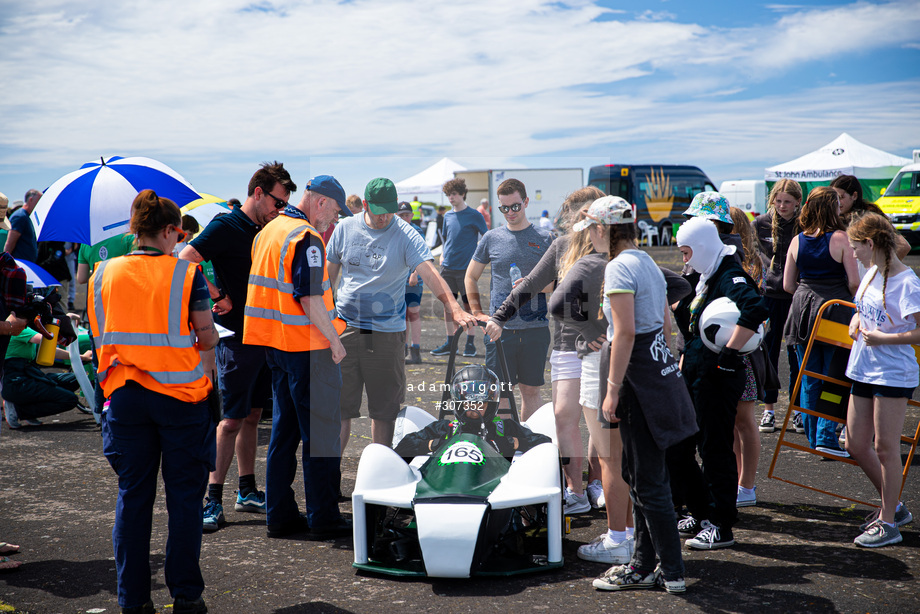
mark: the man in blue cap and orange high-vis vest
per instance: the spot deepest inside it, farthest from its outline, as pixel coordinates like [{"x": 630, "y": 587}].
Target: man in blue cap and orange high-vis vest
[{"x": 290, "y": 311}]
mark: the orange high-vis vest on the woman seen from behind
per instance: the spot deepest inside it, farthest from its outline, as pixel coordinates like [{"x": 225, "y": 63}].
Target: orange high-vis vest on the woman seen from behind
[{"x": 138, "y": 311}]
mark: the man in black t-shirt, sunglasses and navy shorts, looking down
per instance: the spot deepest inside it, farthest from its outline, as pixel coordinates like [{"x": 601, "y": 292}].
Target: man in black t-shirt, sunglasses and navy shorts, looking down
[{"x": 245, "y": 381}]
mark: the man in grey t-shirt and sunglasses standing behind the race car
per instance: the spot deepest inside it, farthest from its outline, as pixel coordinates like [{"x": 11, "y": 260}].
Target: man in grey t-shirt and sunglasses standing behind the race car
[{"x": 526, "y": 336}]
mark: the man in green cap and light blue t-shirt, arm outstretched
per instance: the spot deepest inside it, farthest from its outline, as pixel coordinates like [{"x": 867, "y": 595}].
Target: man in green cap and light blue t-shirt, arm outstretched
[{"x": 375, "y": 252}]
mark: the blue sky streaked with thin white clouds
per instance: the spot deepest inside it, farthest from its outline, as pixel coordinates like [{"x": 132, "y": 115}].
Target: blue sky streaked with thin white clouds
[{"x": 367, "y": 88}]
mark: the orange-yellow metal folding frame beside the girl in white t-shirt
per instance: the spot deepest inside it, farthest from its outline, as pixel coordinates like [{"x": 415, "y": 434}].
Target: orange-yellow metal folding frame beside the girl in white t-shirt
[{"x": 833, "y": 399}]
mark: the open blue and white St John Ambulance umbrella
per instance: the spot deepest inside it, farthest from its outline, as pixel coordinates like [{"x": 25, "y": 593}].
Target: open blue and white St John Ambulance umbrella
[{"x": 94, "y": 203}]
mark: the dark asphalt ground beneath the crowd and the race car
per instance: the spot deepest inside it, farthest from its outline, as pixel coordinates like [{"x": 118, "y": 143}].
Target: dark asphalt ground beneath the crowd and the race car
[{"x": 794, "y": 551}]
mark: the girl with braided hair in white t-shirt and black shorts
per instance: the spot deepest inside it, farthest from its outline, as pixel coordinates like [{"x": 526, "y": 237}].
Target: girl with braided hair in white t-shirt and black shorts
[{"x": 884, "y": 370}]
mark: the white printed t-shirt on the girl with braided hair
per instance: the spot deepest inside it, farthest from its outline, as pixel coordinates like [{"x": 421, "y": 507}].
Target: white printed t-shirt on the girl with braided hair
[{"x": 886, "y": 365}]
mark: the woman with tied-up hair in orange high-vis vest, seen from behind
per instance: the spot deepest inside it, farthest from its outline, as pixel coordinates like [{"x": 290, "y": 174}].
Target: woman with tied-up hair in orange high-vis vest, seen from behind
[{"x": 151, "y": 317}]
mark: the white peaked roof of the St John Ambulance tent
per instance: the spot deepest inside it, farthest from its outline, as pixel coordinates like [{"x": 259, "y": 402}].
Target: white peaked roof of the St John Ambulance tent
[{"x": 843, "y": 156}]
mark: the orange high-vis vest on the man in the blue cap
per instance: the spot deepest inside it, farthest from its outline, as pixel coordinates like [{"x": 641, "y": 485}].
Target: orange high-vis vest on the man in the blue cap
[{"x": 273, "y": 317}]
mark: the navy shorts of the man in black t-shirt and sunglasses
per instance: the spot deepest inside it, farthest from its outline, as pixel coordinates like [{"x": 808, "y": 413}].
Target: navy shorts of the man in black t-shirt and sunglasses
[{"x": 245, "y": 379}]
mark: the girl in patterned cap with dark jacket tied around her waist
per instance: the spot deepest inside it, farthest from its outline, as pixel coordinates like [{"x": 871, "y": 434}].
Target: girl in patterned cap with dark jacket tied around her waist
[{"x": 645, "y": 395}]
